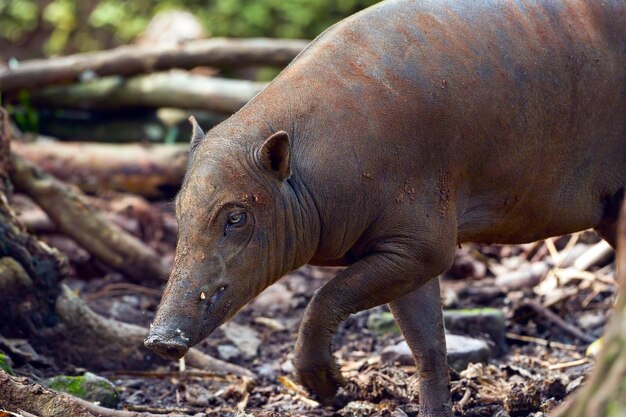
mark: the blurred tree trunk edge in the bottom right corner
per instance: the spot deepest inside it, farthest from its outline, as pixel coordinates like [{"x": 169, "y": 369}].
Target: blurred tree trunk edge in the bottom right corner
[{"x": 604, "y": 395}]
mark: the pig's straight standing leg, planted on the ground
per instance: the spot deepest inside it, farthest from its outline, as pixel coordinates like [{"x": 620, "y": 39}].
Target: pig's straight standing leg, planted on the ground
[{"x": 420, "y": 319}]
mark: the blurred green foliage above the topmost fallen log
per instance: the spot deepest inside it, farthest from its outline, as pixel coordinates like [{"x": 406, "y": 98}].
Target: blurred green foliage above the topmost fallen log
[{"x": 36, "y": 28}]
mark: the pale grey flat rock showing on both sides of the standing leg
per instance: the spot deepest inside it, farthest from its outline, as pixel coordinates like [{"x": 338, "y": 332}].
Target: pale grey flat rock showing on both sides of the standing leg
[{"x": 461, "y": 352}]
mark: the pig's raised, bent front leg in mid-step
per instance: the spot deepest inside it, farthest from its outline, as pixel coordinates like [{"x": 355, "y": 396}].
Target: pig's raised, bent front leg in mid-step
[{"x": 379, "y": 278}]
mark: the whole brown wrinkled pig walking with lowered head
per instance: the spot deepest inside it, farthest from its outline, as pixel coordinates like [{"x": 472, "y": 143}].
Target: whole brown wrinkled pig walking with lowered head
[{"x": 399, "y": 133}]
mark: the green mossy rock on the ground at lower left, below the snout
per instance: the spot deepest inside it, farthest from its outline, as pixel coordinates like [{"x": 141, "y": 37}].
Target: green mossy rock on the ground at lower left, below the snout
[{"x": 89, "y": 387}]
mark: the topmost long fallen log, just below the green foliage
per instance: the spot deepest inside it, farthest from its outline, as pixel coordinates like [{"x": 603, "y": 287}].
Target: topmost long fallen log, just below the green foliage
[{"x": 137, "y": 59}]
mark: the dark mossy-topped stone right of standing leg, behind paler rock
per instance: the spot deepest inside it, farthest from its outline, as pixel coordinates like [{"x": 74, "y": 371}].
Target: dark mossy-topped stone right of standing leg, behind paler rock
[{"x": 478, "y": 322}]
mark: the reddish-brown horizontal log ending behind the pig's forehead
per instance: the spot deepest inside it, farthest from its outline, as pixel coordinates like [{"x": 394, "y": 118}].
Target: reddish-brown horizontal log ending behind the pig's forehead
[{"x": 154, "y": 171}]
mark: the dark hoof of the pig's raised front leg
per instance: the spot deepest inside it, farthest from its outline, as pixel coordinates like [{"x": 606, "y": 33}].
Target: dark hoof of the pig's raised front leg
[{"x": 323, "y": 381}]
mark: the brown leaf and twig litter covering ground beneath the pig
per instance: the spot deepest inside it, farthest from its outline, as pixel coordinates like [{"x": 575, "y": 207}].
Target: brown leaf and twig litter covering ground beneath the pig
[{"x": 529, "y": 380}]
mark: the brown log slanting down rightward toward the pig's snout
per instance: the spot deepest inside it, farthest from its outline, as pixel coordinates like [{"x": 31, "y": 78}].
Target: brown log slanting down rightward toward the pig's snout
[{"x": 74, "y": 217}]
